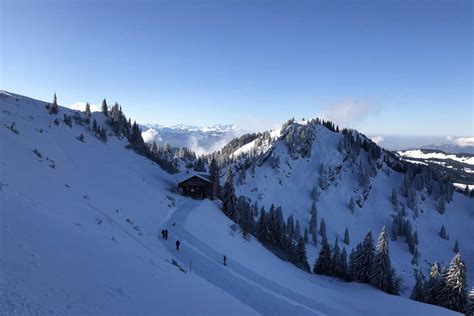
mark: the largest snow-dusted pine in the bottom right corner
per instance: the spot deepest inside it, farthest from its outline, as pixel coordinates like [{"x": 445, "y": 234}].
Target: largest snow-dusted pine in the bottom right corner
[{"x": 455, "y": 293}]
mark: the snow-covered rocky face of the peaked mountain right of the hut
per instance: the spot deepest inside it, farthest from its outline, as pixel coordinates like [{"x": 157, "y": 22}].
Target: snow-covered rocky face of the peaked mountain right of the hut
[{"x": 309, "y": 162}]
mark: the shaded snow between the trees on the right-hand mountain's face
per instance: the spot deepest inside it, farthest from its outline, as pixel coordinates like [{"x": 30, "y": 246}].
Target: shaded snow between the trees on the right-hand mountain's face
[{"x": 290, "y": 185}]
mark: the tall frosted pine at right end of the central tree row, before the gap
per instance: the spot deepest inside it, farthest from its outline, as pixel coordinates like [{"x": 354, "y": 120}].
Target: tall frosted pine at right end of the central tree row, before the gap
[{"x": 381, "y": 271}]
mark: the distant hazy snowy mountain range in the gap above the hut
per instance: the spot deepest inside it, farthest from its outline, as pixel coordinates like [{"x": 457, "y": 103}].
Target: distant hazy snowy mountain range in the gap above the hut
[{"x": 201, "y": 140}]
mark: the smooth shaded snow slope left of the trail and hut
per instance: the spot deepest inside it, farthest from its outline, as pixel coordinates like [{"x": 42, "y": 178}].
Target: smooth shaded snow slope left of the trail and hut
[{"x": 81, "y": 238}]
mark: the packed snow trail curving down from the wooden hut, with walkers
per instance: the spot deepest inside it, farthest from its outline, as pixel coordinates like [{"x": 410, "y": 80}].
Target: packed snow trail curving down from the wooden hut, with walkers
[{"x": 260, "y": 293}]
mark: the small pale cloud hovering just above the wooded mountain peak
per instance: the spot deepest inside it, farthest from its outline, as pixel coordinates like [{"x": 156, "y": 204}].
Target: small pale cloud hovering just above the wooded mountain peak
[{"x": 347, "y": 111}]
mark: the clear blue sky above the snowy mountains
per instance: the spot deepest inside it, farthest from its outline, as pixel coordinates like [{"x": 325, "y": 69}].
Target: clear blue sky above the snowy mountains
[{"x": 384, "y": 67}]
